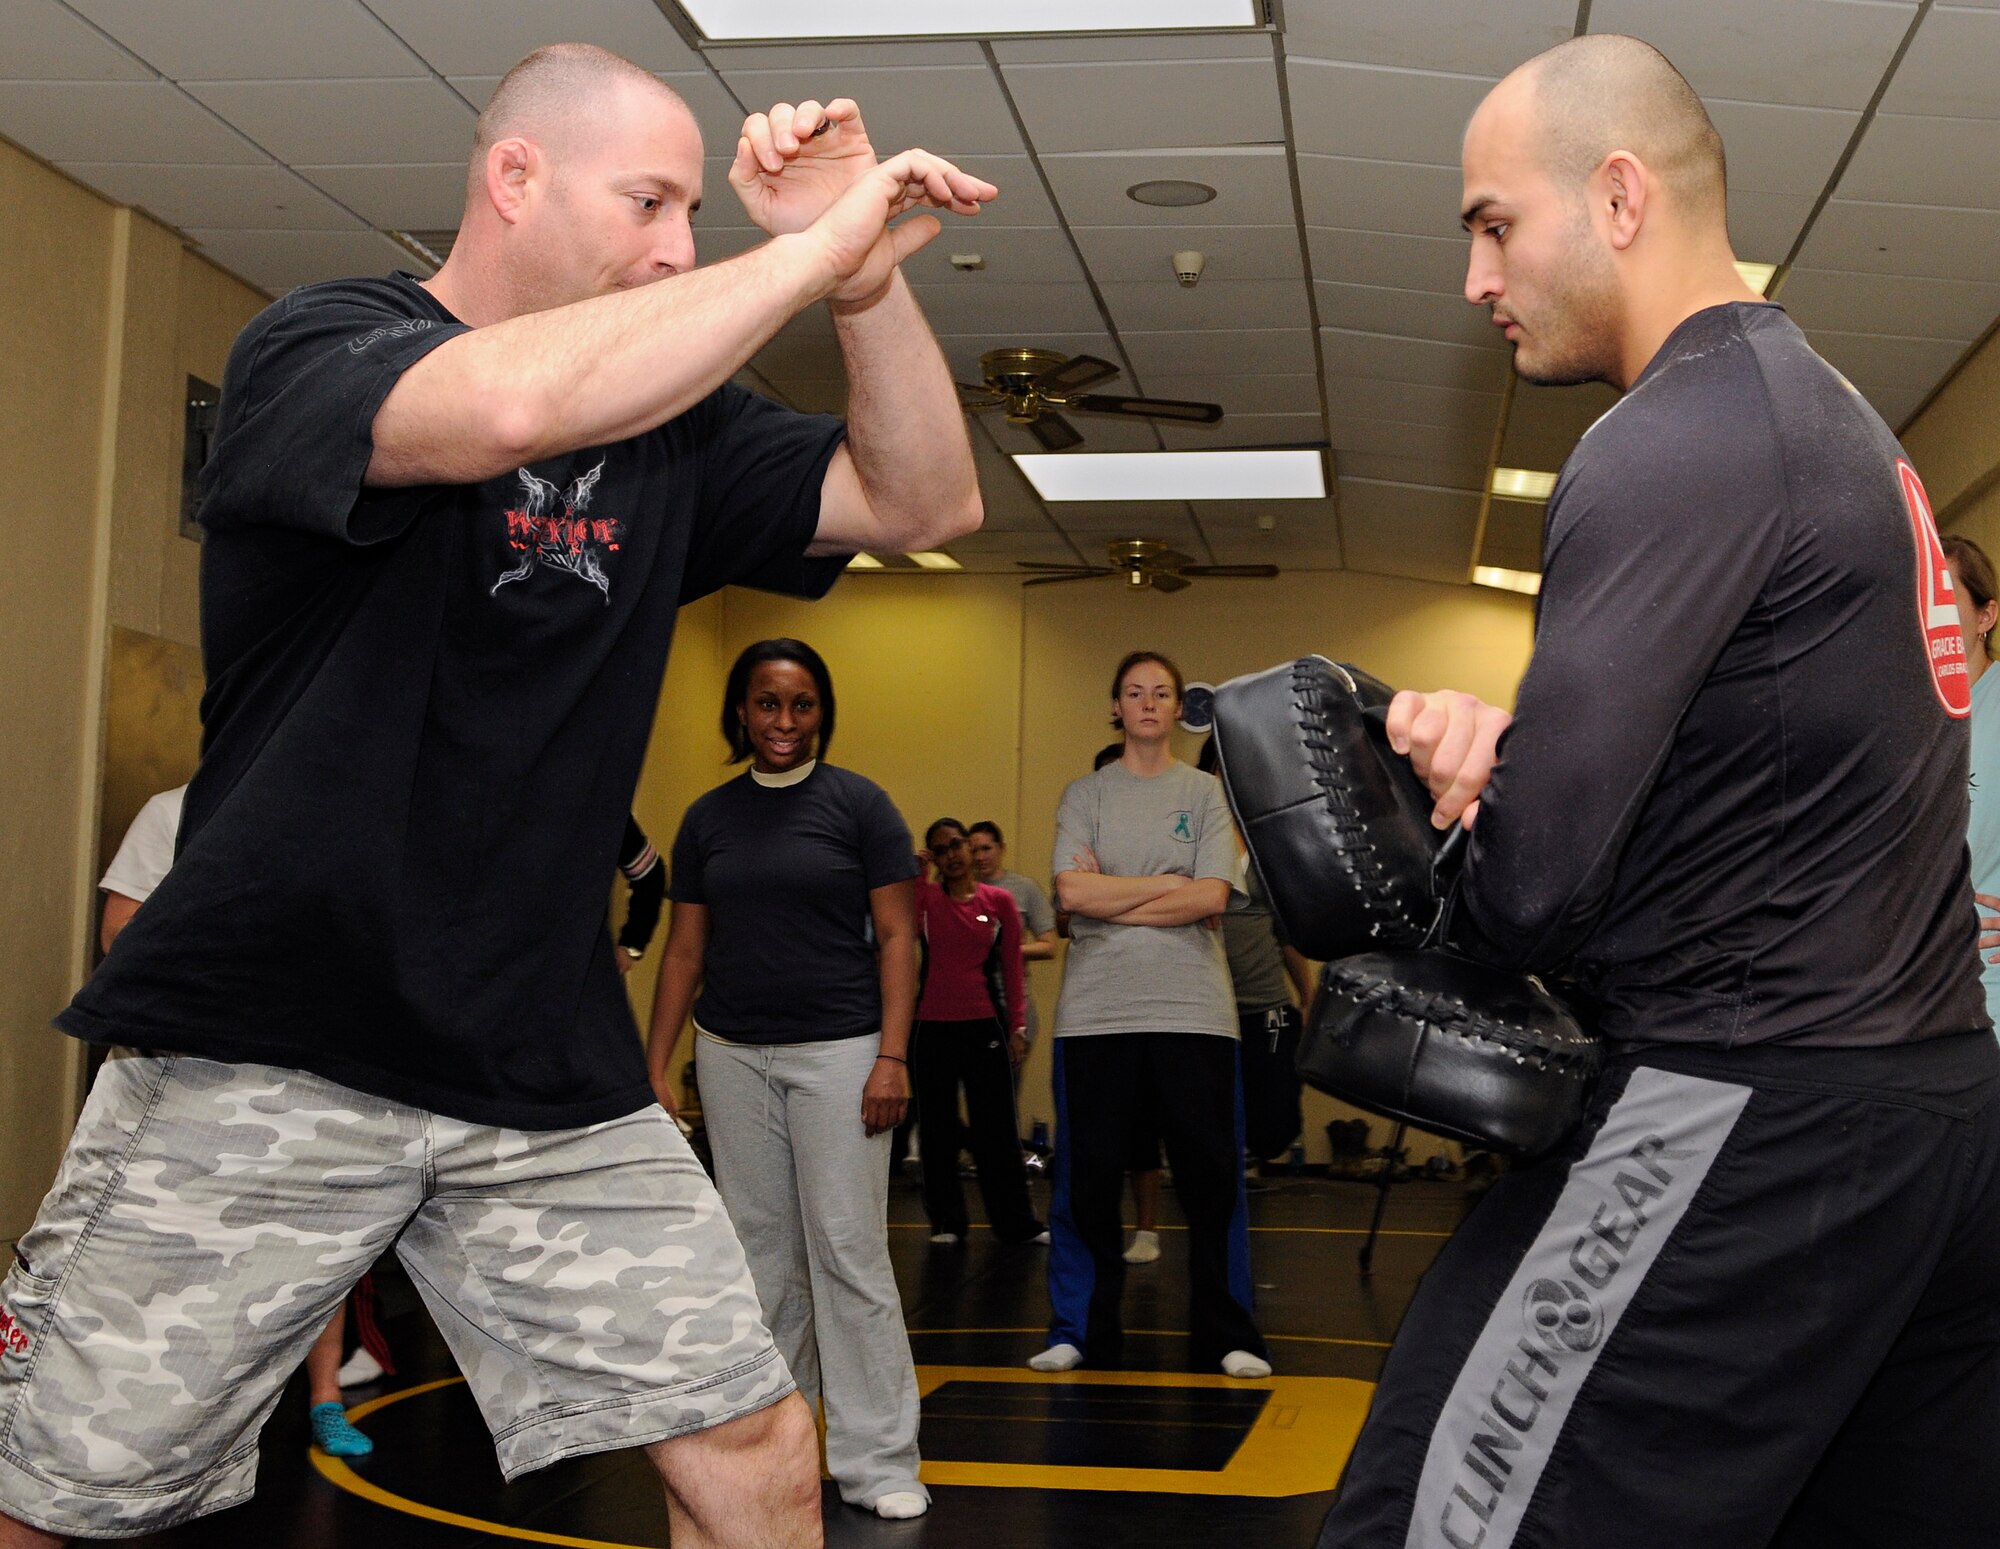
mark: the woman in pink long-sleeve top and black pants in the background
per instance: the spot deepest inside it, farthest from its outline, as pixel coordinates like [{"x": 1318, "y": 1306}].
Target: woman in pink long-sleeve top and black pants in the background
[{"x": 971, "y": 1024}]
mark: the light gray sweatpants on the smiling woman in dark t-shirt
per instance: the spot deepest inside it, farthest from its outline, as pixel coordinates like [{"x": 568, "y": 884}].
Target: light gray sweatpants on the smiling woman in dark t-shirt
[{"x": 809, "y": 1196}]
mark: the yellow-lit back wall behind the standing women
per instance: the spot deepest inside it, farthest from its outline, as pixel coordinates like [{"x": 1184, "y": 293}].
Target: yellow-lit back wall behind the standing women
[{"x": 981, "y": 699}]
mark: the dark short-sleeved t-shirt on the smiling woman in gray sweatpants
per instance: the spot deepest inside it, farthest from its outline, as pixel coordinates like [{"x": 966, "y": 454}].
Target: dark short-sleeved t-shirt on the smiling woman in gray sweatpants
[{"x": 785, "y": 876}]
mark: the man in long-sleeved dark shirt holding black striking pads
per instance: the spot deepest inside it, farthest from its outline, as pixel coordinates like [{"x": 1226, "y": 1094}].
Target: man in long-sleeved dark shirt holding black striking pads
[{"x": 1757, "y": 1298}]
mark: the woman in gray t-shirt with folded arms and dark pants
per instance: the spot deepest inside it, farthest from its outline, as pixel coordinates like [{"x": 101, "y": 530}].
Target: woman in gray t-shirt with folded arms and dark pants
[{"x": 1147, "y": 1036}]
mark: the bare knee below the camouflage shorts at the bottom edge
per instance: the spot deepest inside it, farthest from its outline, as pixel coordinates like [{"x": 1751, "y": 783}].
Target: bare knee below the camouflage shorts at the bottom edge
[{"x": 747, "y": 1484}]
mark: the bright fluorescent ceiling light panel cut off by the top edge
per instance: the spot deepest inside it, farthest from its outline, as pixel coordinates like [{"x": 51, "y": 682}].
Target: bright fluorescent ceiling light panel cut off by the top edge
[{"x": 767, "y": 21}]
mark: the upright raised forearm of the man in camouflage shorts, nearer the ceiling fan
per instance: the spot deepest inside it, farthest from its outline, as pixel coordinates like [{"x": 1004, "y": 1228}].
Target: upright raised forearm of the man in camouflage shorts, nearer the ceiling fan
[{"x": 907, "y": 431}]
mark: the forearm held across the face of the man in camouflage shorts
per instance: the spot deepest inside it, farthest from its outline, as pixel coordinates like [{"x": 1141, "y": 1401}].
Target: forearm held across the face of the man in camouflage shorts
[{"x": 589, "y": 373}]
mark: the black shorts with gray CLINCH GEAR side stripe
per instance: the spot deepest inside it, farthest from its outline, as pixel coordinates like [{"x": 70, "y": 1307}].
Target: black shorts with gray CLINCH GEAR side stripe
[{"x": 1753, "y": 1302}]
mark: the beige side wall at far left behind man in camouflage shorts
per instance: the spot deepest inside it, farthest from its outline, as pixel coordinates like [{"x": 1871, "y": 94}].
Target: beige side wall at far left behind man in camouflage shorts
[{"x": 105, "y": 315}]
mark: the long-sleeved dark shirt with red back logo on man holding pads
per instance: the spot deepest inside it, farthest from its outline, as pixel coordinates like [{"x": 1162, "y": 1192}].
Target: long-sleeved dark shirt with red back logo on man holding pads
[{"x": 1733, "y": 802}]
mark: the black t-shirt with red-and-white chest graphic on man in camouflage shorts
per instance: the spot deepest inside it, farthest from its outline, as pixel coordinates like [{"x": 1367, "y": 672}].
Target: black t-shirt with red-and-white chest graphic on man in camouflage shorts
[{"x": 425, "y": 719}]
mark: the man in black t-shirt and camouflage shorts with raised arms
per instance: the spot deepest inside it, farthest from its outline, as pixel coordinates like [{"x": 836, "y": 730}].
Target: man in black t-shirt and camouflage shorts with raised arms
[{"x": 449, "y": 525}]
